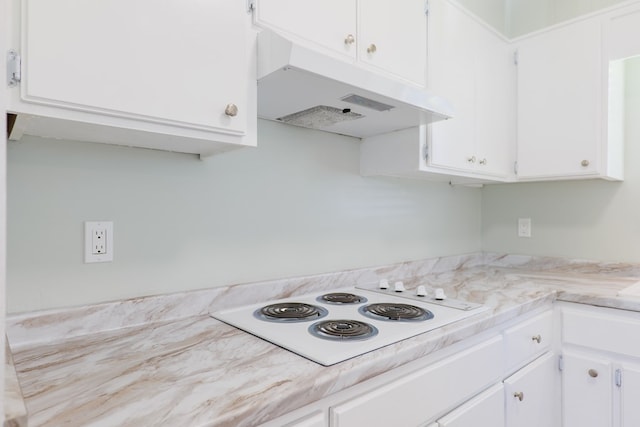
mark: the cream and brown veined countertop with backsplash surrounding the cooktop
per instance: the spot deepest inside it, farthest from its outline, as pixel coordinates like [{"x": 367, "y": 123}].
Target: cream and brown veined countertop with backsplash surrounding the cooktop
[{"x": 164, "y": 361}]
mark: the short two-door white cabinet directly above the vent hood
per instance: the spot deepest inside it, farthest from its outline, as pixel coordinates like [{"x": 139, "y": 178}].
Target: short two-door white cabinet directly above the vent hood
[{"x": 388, "y": 37}]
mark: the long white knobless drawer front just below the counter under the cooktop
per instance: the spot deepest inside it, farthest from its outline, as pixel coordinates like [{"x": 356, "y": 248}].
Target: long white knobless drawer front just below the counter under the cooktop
[{"x": 420, "y": 397}]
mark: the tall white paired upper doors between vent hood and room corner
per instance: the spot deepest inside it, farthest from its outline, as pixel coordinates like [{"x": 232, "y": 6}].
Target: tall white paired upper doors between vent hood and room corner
[{"x": 472, "y": 67}]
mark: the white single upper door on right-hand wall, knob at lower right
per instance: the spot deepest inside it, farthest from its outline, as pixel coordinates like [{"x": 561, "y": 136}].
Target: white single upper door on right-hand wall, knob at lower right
[{"x": 560, "y": 102}]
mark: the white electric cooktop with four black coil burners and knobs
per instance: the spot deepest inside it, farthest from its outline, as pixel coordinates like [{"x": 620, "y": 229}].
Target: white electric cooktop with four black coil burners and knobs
[{"x": 345, "y": 323}]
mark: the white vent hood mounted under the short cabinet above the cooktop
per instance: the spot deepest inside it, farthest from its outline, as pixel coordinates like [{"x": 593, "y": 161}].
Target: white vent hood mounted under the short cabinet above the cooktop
[{"x": 304, "y": 87}]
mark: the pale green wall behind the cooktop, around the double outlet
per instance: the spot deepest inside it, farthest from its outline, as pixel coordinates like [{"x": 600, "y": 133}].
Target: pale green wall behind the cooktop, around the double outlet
[{"x": 296, "y": 205}]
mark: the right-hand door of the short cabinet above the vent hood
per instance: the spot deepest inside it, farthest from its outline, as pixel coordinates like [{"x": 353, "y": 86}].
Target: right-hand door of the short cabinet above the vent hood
[{"x": 393, "y": 37}]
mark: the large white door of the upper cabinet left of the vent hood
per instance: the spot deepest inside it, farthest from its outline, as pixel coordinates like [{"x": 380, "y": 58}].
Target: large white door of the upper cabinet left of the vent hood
[{"x": 177, "y": 63}]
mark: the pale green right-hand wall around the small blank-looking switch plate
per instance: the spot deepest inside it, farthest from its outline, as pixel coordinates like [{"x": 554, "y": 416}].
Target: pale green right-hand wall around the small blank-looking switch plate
[{"x": 596, "y": 219}]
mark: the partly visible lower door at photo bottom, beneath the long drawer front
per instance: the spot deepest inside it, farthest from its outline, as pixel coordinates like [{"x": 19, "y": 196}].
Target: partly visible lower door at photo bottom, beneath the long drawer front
[{"x": 486, "y": 409}]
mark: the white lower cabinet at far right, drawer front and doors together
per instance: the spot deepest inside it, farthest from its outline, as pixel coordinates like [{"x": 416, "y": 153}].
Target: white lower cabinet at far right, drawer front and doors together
[{"x": 601, "y": 367}]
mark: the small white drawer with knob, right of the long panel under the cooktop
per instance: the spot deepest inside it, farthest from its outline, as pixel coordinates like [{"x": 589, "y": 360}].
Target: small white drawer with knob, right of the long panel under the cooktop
[{"x": 527, "y": 340}]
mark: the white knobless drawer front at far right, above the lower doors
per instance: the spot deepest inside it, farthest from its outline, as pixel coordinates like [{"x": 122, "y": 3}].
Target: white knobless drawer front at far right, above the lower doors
[{"x": 601, "y": 331}]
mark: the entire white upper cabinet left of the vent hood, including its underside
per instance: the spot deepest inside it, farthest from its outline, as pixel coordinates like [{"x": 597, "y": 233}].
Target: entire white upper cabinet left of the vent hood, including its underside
[{"x": 157, "y": 74}]
